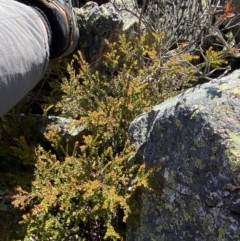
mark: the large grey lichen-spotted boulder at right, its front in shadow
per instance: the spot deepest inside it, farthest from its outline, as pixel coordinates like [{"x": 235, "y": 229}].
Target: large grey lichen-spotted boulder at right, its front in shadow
[{"x": 196, "y": 136}]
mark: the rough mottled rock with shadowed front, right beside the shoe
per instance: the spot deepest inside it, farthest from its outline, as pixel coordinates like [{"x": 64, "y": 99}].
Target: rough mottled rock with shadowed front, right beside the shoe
[{"x": 96, "y": 23}]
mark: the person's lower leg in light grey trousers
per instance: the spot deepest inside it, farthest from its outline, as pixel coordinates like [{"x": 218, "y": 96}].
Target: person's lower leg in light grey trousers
[{"x": 24, "y": 52}]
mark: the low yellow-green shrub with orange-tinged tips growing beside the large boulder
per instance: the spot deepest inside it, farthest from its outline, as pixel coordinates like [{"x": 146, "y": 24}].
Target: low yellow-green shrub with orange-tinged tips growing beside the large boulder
[{"x": 88, "y": 194}]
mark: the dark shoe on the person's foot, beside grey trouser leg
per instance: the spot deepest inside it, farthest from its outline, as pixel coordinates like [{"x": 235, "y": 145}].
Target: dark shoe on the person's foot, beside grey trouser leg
[{"x": 63, "y": 25}]
